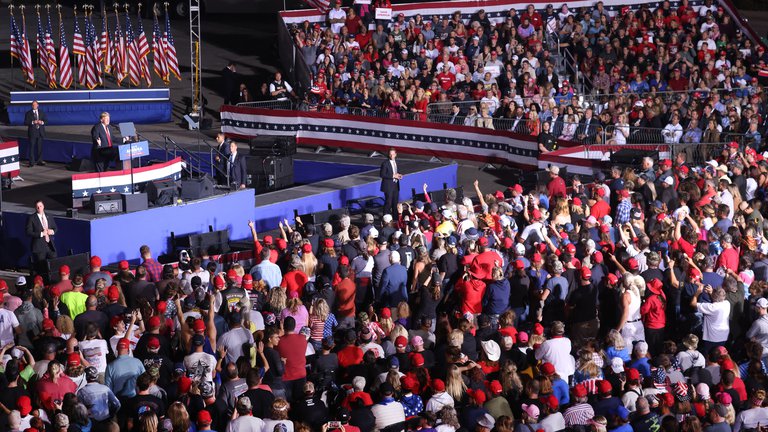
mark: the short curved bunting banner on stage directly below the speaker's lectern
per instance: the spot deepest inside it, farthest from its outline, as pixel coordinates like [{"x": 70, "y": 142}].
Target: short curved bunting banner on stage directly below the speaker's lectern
[{"x": 85, "y": 185}]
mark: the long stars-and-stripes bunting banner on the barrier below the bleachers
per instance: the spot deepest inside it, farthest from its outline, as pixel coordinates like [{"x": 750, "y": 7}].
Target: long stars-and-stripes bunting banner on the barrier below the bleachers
[{"x": 314, "y": 129}]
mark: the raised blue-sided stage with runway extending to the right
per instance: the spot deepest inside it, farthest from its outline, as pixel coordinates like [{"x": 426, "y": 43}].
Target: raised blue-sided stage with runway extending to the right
[{"x": 321, "y": 180}]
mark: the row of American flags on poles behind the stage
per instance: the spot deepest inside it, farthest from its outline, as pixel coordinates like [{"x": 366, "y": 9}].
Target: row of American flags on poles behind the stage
[{"x": 123, "y": 54}]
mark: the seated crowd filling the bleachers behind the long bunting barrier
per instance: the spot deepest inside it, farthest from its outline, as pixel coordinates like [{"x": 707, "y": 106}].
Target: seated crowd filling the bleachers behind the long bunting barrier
[{"x": 647, "y": 74}]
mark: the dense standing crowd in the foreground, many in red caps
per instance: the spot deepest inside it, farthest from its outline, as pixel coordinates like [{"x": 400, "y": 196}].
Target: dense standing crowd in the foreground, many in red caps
[{"x": 636, "y": 302}]
